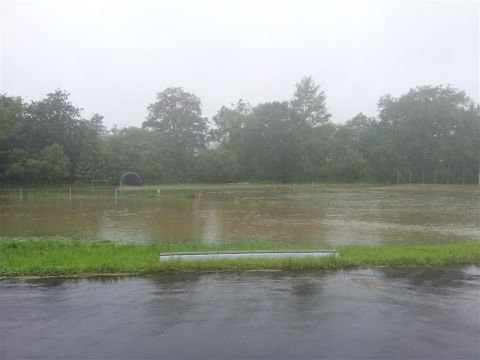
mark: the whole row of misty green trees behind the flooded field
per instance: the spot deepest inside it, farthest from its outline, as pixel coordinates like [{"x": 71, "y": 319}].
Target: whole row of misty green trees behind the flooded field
[{"x": 430, "y": 129}]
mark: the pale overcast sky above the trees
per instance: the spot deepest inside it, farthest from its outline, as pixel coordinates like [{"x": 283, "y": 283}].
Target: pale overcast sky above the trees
[{"x": 114, "y": 56}]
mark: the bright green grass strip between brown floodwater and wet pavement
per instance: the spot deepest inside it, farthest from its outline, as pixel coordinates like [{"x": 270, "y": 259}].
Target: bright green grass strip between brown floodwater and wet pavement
[{"x": 57, "y": 257}]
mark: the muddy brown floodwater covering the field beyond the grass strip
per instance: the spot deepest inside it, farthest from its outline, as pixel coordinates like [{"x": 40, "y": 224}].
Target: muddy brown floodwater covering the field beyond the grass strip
[{"x": 320, "y": 215}]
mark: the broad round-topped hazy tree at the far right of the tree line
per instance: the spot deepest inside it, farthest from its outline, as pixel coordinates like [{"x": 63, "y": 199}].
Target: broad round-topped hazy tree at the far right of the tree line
[{"x": 426, "y": 126}]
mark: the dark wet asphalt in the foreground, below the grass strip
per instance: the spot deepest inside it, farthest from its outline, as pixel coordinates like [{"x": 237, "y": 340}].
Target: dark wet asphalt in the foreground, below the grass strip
[{"x": 381, "y": 314}]
